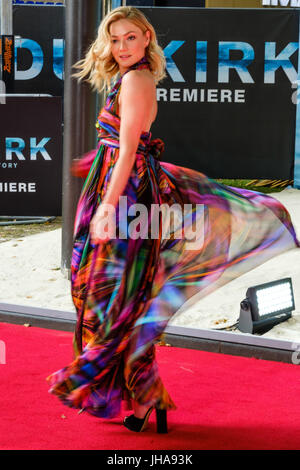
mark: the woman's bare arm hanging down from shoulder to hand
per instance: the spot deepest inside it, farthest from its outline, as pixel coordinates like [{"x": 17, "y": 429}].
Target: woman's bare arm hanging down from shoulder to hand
[{"x": 136, "y": 105}]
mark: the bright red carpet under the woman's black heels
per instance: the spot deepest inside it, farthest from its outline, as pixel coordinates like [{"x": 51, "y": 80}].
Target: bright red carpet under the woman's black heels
[{"x": 224, "y": 402}]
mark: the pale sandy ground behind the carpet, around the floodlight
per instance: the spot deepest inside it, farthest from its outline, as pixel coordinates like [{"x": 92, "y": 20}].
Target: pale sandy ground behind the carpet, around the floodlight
[{"x": 30, "y": 275}]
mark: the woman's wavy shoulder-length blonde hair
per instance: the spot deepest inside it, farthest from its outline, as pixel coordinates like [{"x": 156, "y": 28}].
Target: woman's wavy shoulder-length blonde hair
[{"x": 99, "y": 64}]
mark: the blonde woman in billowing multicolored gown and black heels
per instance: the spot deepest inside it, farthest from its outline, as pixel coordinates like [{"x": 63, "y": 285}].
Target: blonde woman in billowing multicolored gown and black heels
[{"x": 127, "y": 283}]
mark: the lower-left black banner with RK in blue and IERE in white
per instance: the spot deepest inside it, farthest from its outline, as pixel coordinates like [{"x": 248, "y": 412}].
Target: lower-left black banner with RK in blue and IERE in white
[{"x": 31, "y": 156}]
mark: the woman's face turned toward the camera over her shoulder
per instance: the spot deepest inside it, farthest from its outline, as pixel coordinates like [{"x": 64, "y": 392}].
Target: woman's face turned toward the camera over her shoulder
[{"x": 128, "y": 43}]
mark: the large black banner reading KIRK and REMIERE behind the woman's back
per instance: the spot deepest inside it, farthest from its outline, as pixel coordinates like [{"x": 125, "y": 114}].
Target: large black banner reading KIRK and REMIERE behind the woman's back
[{"x": 226, "y": 106}]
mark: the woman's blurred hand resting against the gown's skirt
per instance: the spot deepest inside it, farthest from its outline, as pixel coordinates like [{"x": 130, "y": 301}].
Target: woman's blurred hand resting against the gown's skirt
[{"x": 103, "y": 224}]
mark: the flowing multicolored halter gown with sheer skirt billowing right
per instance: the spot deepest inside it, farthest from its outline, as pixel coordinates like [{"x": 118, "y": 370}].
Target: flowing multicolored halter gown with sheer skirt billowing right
[{"x": 126, "y": 290}]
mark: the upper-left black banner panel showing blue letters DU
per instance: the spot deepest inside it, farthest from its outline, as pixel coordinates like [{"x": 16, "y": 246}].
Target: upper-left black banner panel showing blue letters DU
[{"x": 39, "y": 49}]
